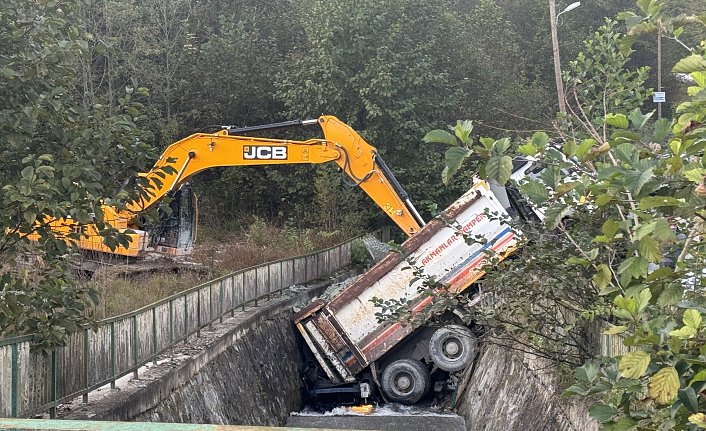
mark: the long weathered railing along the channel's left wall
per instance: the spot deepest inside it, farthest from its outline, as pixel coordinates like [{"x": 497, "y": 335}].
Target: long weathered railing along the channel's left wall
[{"x": 32, "y": 382}]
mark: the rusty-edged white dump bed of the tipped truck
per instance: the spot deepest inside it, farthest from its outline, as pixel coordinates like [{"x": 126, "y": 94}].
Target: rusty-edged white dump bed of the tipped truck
[{"x": 344, "y": 333}]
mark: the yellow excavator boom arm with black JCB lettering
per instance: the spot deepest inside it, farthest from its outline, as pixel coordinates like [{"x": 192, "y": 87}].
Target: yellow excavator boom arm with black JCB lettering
[{"x": 341, "y": 144}]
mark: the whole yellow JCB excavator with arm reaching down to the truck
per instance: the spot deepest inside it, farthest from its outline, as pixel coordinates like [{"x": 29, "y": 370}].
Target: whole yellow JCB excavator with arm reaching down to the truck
[{"x": 175, "y": 235}]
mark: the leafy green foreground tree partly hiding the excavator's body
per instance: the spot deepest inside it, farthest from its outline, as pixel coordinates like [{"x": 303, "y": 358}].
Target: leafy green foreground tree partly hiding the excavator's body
[{"x": 60, "y": 159}]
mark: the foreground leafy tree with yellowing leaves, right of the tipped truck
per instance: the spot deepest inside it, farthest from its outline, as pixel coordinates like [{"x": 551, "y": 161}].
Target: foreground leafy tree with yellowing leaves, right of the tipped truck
[{"x": 624, "y": 203}]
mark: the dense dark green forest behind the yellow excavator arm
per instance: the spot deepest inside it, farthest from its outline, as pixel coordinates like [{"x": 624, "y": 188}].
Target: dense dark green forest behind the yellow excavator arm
[{"x": 392, "y": 70}]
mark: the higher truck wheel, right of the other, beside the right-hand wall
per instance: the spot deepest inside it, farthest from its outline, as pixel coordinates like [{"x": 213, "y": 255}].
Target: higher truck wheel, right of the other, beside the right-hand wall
[{"x": 452, "y": 347}]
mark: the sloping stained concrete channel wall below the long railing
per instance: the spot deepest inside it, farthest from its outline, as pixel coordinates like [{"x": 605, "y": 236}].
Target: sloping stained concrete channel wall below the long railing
[{"x": 246, "y": 371}]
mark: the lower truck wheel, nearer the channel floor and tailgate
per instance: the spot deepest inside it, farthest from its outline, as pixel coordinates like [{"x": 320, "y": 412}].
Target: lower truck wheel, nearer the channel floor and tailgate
[{"x": 405, "y": 381}]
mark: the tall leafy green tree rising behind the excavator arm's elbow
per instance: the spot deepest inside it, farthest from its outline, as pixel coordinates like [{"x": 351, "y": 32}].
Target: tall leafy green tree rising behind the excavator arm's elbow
[{"x": 384, "y": 69}]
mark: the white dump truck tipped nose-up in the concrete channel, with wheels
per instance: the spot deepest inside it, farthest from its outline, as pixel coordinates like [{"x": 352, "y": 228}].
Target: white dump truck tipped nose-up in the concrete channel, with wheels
[{"x": 352, "y": 346}]
